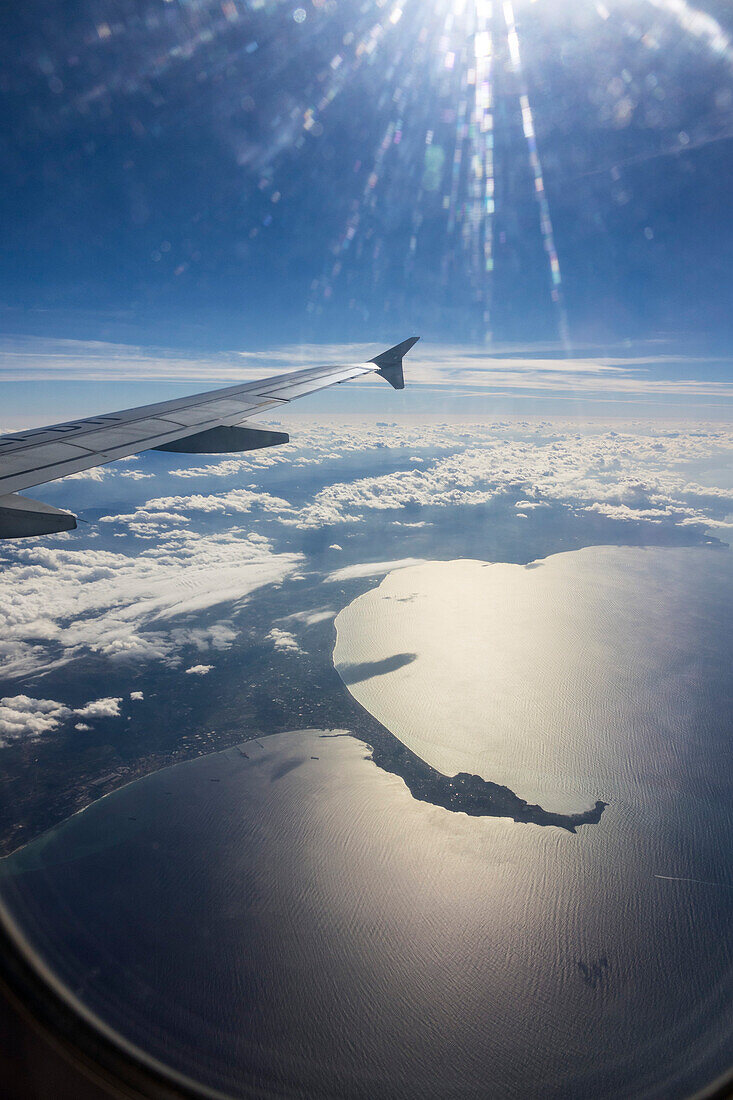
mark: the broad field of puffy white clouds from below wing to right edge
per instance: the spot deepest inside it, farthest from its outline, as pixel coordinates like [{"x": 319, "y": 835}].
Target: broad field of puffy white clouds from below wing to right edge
[{"x": 538, "y": 460}]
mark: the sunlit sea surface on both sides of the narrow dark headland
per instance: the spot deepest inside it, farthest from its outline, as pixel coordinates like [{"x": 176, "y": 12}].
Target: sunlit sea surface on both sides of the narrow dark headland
[{"x": 286, "y": 916}]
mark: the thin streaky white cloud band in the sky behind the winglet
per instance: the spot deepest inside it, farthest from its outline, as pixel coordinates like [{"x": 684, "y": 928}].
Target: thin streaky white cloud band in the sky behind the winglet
[{"x": 435, "y": 366}]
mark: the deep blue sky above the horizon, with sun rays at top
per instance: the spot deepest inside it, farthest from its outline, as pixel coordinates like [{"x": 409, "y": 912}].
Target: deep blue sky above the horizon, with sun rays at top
[{"x": 543, "y": 179}]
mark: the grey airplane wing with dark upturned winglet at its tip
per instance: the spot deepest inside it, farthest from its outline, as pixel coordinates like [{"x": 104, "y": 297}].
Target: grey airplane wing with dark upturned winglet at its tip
[{"x": 205, "y": 424}]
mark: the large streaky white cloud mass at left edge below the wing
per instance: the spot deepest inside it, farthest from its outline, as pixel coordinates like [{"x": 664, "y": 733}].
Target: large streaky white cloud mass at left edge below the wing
[{"x": 58, "y": 603}]
